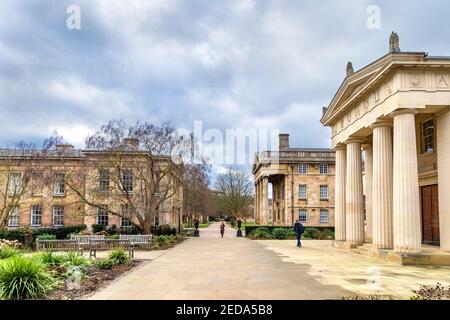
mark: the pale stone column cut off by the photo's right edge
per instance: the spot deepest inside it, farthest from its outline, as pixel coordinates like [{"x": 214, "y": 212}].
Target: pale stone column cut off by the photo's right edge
[{"x": 443, "y": 163}]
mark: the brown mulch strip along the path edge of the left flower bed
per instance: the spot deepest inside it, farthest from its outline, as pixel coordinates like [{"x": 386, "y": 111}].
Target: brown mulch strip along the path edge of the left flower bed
[{"x": 94, "y": 280}]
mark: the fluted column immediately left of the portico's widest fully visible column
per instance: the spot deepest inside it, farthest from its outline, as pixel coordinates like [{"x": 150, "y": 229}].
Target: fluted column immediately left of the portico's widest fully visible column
[{"x": 382, "y": 185}]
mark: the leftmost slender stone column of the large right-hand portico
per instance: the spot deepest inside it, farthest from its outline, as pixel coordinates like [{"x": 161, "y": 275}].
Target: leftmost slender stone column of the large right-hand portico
[{"x": 339, "y": 211}]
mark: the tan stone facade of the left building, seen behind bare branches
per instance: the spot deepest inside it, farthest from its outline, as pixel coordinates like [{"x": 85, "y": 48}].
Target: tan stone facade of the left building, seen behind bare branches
[{"x": 81, "y": 166}]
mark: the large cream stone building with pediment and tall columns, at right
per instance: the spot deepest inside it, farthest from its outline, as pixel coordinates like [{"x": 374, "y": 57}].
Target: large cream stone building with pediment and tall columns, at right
[{"x": 396, "y": 110}]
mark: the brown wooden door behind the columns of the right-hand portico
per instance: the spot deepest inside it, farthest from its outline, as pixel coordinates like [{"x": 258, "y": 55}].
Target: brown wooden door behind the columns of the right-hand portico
[{"x": 430, "y": 214}]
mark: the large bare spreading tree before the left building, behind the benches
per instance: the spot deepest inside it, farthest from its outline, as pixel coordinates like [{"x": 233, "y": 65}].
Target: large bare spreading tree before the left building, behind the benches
[{"x": 129, "y": 173}]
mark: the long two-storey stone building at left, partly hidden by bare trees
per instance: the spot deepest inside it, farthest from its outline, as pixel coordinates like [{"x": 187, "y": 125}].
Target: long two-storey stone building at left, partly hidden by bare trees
[{"x": 34, "y": 185}]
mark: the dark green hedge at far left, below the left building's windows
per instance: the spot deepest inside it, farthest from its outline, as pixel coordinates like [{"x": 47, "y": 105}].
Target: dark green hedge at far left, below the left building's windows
[{"x": 27, "y": 236}]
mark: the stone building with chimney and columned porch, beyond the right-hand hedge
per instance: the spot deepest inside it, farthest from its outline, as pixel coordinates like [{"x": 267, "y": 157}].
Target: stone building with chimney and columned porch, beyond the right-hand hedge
[{"x": 302, "y": 186}]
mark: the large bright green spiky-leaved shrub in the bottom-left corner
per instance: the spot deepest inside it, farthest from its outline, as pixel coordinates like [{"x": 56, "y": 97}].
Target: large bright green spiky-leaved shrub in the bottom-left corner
[{"x": 24, "y": 278}]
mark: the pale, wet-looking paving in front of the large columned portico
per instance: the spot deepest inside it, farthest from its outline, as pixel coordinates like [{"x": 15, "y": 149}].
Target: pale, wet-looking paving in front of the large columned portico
[{"x": 361, "y": 274}]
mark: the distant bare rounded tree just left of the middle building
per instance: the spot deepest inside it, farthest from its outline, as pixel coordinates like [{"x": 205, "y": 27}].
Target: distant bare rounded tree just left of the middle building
[{"x": 234, "y": 193}]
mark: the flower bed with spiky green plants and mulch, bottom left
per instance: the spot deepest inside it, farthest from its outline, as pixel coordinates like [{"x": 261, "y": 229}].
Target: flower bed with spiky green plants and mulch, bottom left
[{"x": 46, "y": 275}]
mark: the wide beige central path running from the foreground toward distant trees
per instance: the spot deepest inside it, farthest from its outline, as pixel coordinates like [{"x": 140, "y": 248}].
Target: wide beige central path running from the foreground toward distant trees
[{"x": 210, "y": 267}]
